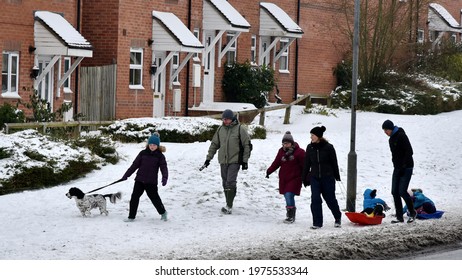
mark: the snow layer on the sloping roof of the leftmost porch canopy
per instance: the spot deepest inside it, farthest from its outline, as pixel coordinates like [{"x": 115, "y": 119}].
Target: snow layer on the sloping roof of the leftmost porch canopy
[{"x": 63, "y": 29}]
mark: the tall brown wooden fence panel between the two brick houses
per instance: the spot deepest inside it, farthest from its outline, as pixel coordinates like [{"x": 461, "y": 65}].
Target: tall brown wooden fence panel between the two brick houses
[{"x": 98, "y": 92}]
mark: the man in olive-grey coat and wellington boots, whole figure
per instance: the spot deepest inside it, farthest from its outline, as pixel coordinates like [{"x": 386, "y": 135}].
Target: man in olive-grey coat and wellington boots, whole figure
[{"x": 232, "y": 142}]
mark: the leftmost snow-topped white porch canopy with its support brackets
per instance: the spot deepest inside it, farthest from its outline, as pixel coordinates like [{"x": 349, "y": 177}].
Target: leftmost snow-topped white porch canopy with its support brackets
[{"x": 54, "y": 36}]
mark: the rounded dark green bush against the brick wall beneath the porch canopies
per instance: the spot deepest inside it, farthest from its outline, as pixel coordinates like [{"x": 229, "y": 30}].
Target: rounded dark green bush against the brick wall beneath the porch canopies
[{"x": 243, "y": 82}]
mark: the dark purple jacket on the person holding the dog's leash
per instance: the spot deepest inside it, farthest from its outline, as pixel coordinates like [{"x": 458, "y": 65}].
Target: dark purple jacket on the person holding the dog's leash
[{"x": 148, "y": 164}]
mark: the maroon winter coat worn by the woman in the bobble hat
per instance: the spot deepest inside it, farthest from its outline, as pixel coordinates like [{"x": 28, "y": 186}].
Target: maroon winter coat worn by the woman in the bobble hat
[{"x": 290, "y": 172}]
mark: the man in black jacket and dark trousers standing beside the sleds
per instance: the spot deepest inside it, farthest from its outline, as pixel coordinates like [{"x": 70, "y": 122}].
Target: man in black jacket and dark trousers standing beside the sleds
[{"x": 403, "y": 165}]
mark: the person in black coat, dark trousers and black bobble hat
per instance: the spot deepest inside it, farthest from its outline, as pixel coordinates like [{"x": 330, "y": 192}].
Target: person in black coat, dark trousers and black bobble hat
[{"x": 321, "y": 171}]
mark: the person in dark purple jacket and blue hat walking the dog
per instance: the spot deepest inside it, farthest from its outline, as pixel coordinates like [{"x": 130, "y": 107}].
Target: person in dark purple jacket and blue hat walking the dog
[{"x": 148, "y": 162}]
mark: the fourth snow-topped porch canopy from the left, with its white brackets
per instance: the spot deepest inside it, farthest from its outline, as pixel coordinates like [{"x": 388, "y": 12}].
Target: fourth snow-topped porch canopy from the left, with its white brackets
[{"x": 276, "y": 24}]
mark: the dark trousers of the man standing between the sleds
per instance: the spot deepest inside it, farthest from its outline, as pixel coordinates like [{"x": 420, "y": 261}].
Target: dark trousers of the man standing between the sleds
[{"x": 399, "y": 186}]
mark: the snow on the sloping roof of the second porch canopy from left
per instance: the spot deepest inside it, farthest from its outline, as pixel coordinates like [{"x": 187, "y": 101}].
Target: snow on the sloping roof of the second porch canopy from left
[{"x": 178, "y": 29}]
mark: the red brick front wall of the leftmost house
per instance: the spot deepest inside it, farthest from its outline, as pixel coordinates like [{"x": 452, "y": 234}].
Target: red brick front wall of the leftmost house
[{"x": 17, "y": 34}]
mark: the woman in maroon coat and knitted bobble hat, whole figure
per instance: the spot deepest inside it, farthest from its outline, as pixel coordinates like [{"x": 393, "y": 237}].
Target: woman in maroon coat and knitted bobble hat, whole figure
[{"x": 290, "y": 159}]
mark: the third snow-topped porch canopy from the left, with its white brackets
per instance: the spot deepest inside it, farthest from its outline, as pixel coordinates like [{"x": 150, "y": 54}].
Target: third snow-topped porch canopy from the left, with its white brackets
[{"x": 221, "y": 16}]
